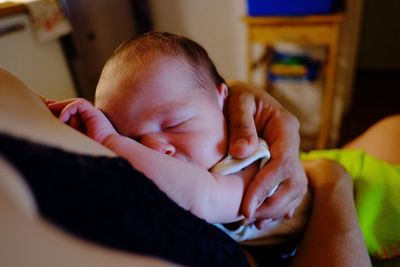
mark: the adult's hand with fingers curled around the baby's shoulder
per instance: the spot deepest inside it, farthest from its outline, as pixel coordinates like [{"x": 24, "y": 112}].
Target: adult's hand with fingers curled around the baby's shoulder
[{"x": 252, "y": 114}]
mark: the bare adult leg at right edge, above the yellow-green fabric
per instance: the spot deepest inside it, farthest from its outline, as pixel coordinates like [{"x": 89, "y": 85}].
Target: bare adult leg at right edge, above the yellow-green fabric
[{"x": 381, "y": 140}]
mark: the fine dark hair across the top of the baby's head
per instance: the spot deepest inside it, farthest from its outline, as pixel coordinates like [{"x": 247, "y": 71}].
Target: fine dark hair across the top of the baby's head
[{"x": 140, "y": 49}]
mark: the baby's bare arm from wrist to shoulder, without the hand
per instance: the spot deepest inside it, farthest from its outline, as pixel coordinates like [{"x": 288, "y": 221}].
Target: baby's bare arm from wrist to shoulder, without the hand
[{"x": 215, "y": 198}]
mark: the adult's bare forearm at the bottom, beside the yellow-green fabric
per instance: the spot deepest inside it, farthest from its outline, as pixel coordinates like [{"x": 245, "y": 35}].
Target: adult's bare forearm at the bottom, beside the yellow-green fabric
[{"x": 333, "y": 236}]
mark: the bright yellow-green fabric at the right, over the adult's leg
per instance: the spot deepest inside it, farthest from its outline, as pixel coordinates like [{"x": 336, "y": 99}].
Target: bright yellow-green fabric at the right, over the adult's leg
[{"x": 377, "y": 197}]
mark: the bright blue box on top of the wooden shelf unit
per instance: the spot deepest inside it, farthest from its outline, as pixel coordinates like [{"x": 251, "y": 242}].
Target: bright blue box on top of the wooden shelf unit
[{"x": 289, "y": 7}]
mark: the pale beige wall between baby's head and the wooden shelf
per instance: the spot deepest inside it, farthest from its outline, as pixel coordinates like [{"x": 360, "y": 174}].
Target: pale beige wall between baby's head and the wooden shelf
[{"x": 216, "y": 25}]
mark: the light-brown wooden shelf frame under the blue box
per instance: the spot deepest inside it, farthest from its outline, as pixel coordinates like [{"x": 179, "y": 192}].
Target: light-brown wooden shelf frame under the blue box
[{"x": 321, "y": 30}]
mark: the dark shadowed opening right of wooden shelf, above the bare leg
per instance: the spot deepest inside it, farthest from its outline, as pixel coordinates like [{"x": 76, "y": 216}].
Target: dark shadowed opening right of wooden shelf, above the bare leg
[{"x": 376, "y": 91}]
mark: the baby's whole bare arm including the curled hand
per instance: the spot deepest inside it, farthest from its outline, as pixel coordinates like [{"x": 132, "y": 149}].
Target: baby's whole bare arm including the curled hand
[{"x": 215, "y": 198}]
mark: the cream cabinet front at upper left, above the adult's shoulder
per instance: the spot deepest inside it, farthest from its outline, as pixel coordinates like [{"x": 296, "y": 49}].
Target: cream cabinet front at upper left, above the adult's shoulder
[{"x": 41, "y": 66}]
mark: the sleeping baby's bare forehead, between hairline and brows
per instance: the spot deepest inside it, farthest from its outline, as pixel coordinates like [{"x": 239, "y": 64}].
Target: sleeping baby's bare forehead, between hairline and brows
[{"x": 156, "y": 80}]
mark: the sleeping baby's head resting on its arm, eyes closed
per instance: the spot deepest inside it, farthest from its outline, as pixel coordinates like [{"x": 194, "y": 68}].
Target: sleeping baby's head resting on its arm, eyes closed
[{"x": 164, "y": 91}]
